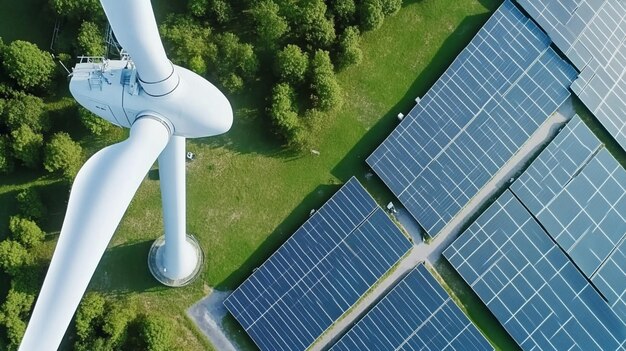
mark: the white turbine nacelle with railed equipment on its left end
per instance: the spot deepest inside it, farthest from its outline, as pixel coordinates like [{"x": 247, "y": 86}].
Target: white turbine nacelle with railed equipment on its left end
[{"x": 112, "y": 90}]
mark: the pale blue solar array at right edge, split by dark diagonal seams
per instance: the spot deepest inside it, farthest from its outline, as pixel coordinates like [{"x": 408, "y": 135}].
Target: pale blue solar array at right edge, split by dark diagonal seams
[{"x": 577, "y": 190}]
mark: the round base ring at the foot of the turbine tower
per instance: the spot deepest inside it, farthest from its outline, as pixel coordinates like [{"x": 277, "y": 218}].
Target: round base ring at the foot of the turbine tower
[{"x": 156, "y": 262}]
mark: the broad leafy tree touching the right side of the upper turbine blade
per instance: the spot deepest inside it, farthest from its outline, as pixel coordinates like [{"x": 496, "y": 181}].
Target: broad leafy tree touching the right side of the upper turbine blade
[{"x": 188, "y": 42}]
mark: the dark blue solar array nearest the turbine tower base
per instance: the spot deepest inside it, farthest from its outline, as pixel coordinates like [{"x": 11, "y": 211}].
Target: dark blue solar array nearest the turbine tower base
[{"x": 319, "y": 273}]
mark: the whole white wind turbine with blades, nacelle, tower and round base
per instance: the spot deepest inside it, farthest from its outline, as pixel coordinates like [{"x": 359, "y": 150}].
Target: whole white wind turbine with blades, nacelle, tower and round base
[{"x": 162, "y": 104}]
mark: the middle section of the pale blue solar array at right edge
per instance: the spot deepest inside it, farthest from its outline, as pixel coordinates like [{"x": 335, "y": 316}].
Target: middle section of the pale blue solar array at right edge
[{"x": 588, "y": 217}]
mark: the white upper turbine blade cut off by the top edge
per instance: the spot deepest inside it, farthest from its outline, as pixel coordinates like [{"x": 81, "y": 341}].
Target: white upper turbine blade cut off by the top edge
[{"x": 136, "y": 30}]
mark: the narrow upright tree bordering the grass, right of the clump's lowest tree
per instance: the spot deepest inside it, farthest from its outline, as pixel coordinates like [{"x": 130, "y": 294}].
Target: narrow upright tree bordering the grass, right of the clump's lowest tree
[{"x": 326, "y": 93}]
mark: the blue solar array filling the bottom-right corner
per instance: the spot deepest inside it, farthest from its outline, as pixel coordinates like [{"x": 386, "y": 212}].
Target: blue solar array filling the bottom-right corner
[{"x": 530, "y": 285}]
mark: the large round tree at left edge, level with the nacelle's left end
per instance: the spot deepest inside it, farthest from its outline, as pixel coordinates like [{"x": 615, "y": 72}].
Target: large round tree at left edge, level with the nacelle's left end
[{"x": 27, "y": 64}]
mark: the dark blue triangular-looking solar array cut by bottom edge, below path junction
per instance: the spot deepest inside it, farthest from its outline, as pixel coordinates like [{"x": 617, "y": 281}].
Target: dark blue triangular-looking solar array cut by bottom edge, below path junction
[{"x": 418, "y": 314}]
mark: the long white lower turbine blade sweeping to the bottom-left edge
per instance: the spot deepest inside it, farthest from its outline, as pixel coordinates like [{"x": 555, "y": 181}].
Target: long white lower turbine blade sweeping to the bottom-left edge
[{"x": 100, "y": 195}]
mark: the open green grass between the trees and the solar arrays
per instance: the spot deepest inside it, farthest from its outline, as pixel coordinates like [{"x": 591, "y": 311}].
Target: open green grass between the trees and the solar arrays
[{"x": 246, "y": 196}]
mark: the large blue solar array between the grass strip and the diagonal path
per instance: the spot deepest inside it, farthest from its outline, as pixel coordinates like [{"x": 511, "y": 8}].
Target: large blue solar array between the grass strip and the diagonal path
[{"x": 496, "y": 94}]
